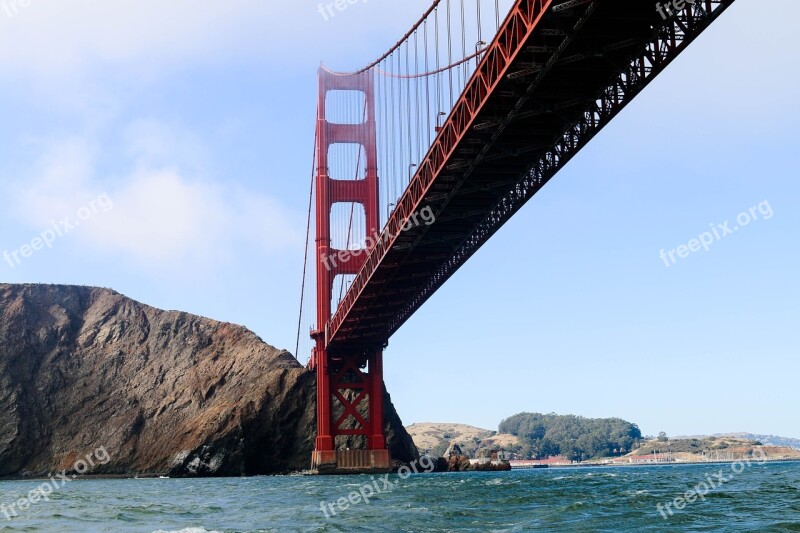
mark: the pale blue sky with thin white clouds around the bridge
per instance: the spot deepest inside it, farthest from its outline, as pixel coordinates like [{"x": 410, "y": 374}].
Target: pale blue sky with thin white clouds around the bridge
[{"x": 178, "y": 135}]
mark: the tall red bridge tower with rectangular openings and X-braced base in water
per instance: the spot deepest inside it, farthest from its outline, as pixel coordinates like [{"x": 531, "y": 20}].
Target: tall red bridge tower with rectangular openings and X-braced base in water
[{"x": 342, "y": 384}]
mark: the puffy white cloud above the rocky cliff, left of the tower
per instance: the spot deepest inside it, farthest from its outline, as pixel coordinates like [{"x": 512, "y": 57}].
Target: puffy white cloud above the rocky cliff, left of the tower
[{"x": 162, "y": 216}]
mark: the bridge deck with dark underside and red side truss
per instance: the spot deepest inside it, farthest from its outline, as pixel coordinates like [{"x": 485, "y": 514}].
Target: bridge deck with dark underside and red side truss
[{"x": 553, "y": 77}]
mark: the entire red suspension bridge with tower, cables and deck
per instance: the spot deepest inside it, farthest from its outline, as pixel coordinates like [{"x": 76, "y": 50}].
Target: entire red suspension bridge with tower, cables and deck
[{"x": 422, "y": 155}]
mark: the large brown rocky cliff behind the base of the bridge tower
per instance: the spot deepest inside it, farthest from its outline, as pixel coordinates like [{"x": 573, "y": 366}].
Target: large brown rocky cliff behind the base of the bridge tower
[{"x": 162, "y": 391}]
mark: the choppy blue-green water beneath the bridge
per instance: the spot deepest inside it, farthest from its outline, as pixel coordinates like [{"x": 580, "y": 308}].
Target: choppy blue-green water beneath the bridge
[{"x": 752, "y": 498}]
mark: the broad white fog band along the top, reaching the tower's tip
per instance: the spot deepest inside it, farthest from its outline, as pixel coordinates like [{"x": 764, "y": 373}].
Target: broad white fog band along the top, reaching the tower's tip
[{"x": 57, "y": 39}]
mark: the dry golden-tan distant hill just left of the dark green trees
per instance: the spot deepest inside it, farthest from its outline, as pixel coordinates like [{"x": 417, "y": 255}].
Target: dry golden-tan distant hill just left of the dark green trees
[{"x": 436, "y": 437}]
